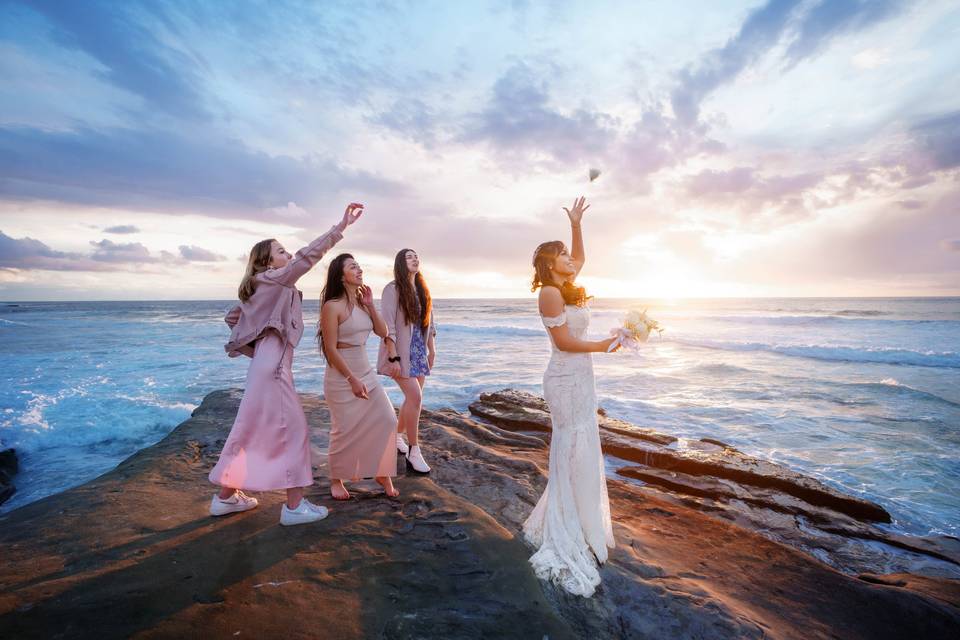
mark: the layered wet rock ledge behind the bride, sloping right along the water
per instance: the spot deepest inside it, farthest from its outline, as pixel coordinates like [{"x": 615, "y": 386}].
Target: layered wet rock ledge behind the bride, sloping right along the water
[{"x": 717, "y": 478}]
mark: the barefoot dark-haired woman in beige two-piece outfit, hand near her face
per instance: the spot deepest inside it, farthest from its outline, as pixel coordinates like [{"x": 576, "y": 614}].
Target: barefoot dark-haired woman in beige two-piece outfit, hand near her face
[{"x": 363, "y": 423}]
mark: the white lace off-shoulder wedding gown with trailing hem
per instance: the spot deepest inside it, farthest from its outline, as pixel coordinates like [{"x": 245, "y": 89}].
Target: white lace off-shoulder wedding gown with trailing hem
[{"x": 571, "y": 522}]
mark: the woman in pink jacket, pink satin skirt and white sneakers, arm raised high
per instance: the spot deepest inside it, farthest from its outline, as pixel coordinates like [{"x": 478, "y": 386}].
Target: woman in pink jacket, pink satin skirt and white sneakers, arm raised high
[{"x": 269, "y": 445}]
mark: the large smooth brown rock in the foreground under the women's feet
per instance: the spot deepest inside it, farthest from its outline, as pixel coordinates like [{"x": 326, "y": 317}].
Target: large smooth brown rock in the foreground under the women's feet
[{"x": 134, "y": 553}]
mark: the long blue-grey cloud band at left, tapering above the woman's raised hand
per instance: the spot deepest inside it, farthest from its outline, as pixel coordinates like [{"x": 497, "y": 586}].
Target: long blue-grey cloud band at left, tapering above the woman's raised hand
[{"x": 168, "y": 171}]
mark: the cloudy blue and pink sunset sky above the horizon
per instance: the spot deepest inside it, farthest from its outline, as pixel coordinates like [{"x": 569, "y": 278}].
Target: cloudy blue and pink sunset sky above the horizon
[{"x": 779, "y": 148}]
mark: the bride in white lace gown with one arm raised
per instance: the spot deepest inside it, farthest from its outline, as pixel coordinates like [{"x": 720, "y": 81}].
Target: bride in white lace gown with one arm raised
[{"x": 570, "y": 526}]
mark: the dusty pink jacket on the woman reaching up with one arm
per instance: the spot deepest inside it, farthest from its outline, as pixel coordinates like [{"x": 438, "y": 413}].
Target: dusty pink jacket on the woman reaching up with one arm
[{"x": 276, "y": 302}]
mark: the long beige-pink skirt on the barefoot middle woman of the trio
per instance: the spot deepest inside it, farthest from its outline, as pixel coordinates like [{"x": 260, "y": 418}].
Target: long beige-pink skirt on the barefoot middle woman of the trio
[{"x": 363, "y": 432}]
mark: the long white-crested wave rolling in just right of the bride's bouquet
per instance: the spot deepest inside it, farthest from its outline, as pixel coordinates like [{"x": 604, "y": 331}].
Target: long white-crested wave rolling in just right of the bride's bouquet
[{"x": 942, "y": 359}]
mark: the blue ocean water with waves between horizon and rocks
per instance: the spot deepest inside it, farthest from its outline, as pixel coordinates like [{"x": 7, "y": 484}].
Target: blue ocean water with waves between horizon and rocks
[{"x": 863, "y": 394}]
